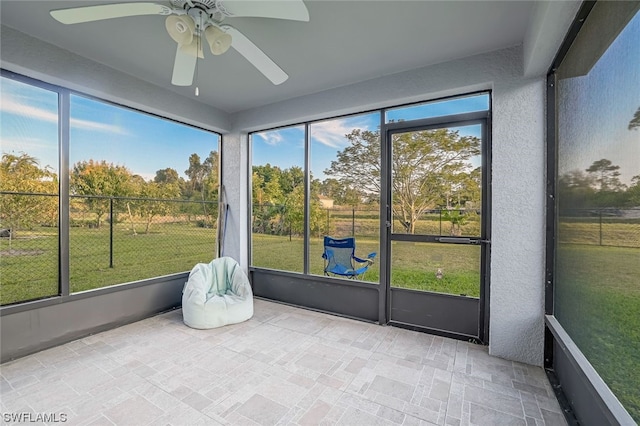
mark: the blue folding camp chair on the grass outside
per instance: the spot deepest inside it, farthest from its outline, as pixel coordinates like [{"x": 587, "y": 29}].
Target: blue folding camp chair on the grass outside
[{"x": 340, "y": 259}]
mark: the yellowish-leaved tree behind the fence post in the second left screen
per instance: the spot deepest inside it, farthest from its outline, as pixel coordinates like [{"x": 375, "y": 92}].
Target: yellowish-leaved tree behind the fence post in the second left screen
[{"x": 99, "y": 180}]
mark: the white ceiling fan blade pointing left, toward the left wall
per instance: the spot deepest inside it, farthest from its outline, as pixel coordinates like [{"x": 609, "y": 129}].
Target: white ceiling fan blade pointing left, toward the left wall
[{"x": 78, "y": 15}]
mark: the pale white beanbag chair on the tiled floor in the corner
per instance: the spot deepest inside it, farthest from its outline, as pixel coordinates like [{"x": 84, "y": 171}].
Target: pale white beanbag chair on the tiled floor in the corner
[{"x": 217, "y": 294}]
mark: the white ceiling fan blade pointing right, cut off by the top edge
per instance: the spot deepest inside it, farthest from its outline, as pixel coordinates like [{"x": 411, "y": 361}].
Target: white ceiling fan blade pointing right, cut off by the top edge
[{"x": 294, "y": 10}]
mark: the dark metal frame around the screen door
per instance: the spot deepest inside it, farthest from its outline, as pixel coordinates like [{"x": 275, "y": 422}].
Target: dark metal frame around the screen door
[{"x": 387, "y": 130}]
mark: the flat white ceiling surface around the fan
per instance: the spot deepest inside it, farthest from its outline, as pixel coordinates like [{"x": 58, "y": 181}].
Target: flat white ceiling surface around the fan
[{"x": 345, "y": 42}]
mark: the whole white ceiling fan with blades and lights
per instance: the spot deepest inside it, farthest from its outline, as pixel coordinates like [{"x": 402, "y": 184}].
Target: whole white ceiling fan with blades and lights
[{"x": 192, "y": 22}]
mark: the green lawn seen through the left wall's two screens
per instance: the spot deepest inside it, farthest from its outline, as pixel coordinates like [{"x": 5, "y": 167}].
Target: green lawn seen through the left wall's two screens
[{"x": 29, "y": 270}]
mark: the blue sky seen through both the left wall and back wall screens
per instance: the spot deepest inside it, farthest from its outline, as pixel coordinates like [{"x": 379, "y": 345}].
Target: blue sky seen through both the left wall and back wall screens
[{"x": 145, "y": 143}]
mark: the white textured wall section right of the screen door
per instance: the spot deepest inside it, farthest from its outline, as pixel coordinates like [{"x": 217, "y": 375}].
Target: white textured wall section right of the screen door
[{"x": 518, "y": 225}]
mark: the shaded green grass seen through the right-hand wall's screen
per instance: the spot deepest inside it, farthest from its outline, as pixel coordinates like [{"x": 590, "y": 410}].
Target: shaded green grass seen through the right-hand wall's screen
[{"x": 598, "y": 303}]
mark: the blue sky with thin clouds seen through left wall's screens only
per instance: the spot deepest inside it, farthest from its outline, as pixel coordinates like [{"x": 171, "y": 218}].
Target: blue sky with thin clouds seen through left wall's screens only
[{"x": 99, "y": 131}]
